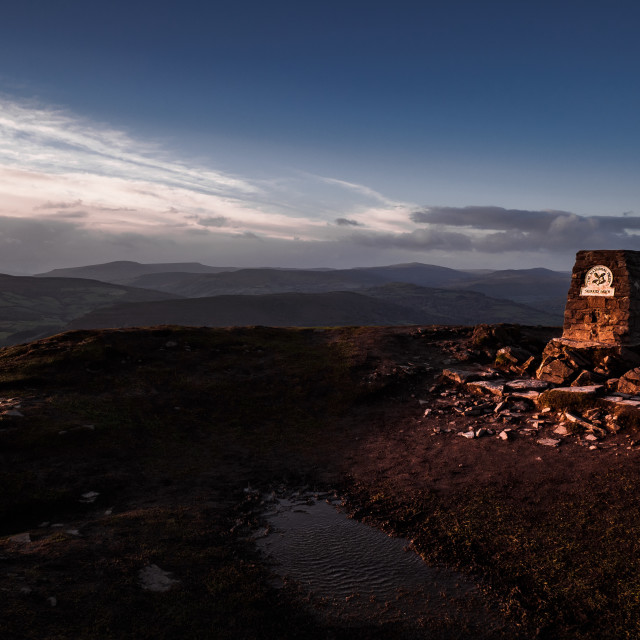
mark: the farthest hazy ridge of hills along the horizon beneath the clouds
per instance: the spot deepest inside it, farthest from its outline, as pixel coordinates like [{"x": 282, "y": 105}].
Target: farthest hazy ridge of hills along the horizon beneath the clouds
[{"x": 541, "y": 288}]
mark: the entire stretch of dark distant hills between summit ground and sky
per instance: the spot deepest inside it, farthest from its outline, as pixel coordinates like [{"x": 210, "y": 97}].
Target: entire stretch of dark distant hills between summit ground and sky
[{"x": 123, "y": 294}]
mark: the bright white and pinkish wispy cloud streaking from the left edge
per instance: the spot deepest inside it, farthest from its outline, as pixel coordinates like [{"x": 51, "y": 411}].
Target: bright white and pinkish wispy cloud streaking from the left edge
[{"x": 54, "y": 164}]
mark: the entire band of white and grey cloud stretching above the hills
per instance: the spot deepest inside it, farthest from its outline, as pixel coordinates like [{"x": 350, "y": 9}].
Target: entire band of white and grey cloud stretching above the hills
[{"x": 75, "y": 192}]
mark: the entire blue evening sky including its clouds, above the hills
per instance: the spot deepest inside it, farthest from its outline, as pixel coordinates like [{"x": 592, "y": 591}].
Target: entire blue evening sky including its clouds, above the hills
[{"x": 494, "y": 134}]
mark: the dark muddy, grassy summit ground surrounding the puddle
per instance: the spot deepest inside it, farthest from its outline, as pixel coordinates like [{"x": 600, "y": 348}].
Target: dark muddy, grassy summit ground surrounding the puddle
[{"x": 182, "y": 432}]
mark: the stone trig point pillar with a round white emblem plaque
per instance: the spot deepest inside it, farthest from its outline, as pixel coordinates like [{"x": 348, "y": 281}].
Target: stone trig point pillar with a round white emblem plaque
[{"x": 603, "y": 304}]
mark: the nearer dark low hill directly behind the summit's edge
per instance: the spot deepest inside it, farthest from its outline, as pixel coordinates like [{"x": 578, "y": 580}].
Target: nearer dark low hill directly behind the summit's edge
[{"x": 386, "y": 305}]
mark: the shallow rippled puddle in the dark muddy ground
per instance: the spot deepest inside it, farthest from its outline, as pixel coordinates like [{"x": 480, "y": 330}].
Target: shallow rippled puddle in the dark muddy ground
[{"x": 359, "y": 570}]
